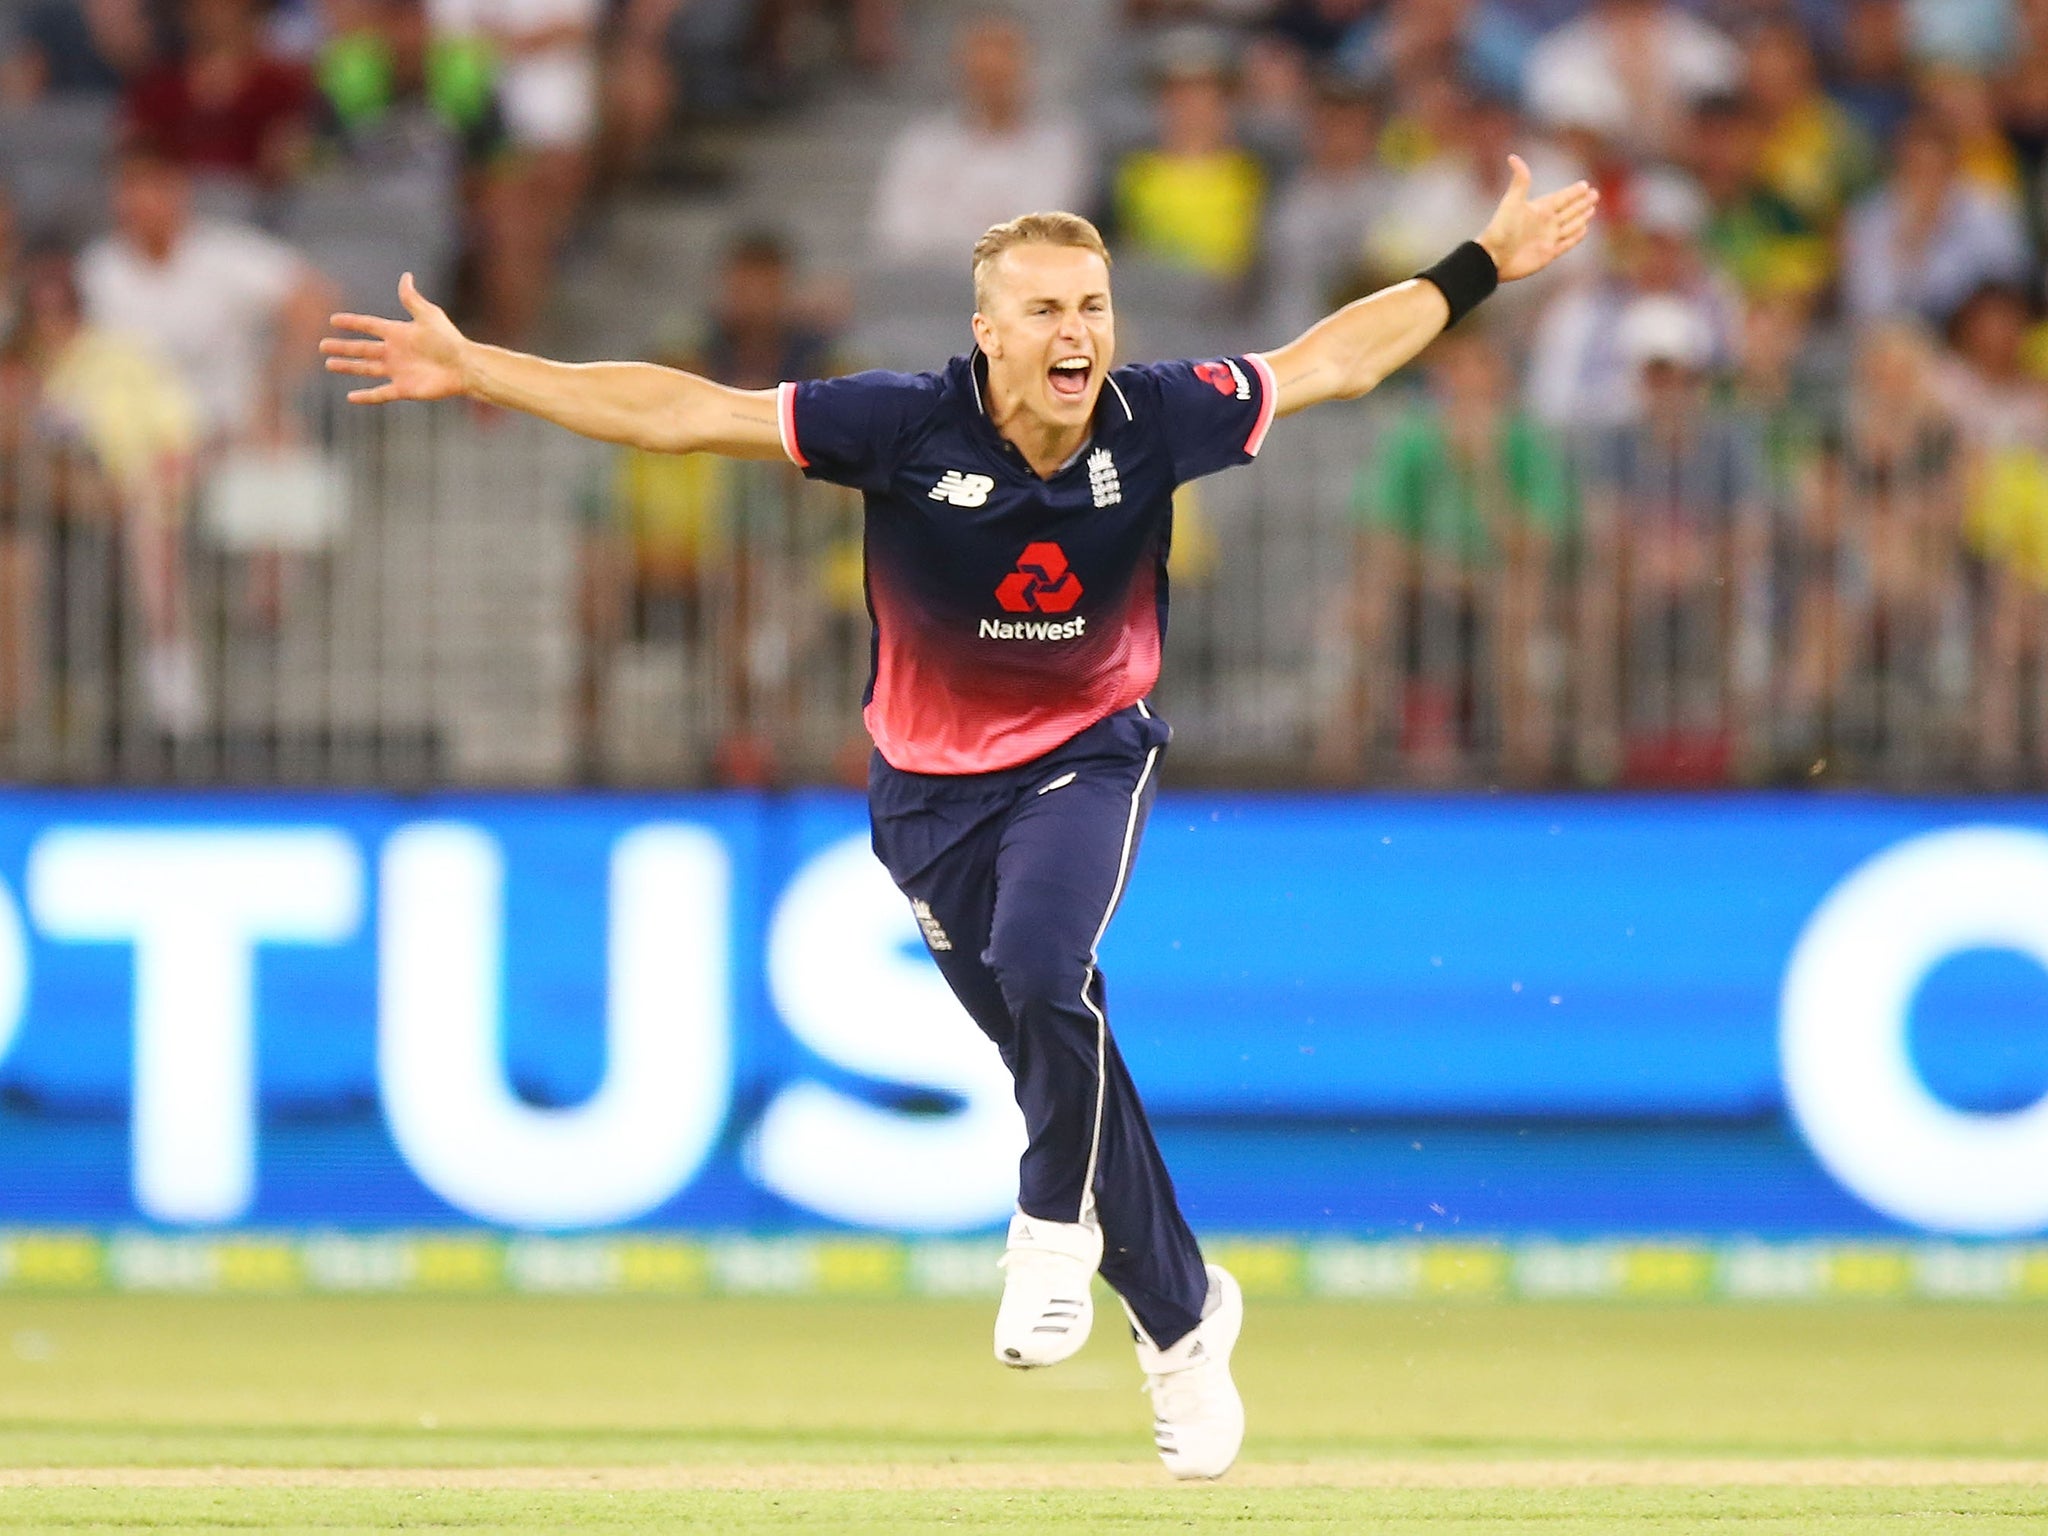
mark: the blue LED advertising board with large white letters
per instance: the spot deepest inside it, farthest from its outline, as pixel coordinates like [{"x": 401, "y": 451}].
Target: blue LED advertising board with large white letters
[{"x": 1723, "y": 1015}]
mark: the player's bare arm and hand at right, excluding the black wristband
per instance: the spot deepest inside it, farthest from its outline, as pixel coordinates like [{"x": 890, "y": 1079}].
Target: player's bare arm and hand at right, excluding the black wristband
[{"x": 1351, "y": 351}]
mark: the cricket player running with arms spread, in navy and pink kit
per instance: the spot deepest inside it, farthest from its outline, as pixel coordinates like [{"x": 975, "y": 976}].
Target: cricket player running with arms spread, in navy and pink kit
[{"x": 1019, "y": 511}]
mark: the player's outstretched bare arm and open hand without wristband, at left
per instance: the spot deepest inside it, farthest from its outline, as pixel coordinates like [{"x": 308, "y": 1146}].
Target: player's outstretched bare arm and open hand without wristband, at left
[{"x": 638, "y": 404}]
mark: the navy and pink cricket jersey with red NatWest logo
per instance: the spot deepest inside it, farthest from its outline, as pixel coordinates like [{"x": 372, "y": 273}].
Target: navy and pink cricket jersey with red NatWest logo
[{"x": 1011, "y": 611}]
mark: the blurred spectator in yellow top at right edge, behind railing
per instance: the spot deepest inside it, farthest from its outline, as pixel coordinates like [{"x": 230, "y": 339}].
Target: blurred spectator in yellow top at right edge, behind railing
[{"x": 2002, "y": 415}]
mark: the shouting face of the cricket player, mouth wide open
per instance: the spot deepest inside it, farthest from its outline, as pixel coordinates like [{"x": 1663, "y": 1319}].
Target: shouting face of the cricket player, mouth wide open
[{"x": 1048, "y": 331}]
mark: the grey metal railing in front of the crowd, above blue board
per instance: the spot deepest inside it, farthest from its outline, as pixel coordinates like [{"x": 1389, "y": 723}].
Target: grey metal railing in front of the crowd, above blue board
[{"x": 431, "y": 595}]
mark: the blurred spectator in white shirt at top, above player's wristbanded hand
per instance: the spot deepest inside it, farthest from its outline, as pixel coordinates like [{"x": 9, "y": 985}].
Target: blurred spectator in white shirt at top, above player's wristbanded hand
[{"x": 1631, "y": 69}]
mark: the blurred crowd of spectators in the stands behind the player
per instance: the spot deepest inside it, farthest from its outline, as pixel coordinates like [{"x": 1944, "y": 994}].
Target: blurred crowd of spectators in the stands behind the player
[{"x": 1752, "y": 488}]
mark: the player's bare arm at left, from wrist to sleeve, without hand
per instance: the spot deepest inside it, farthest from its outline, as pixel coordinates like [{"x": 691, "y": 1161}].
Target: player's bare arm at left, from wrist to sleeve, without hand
[{"x": 638, "y": 404}]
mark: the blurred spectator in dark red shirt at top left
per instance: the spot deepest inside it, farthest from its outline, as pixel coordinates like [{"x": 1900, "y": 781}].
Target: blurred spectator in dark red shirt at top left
[{"x": 222, "y": 108}]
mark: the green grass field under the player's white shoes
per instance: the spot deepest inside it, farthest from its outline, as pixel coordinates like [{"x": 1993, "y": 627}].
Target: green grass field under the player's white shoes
[{"x": 857, "y": 1398}]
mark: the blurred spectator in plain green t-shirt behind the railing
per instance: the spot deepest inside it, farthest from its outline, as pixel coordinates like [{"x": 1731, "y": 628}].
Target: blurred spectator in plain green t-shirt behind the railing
[{"x": 1467, "y": 505}]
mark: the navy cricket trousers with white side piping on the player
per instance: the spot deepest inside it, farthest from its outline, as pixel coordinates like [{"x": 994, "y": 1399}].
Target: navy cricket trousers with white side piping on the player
[{"x": 1017, "y": 876}]
